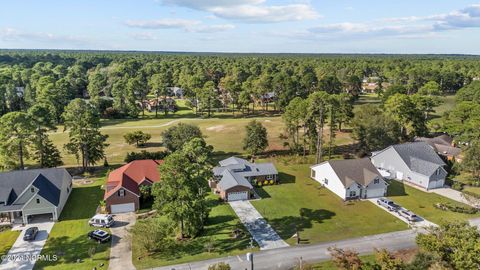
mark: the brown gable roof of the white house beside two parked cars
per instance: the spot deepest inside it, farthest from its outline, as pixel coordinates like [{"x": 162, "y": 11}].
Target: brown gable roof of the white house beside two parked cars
[{"x": 350, "y": 171}]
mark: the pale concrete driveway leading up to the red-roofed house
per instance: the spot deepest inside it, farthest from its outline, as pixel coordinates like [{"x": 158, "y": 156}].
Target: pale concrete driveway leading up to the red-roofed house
[{"x": 121, "y": 250}]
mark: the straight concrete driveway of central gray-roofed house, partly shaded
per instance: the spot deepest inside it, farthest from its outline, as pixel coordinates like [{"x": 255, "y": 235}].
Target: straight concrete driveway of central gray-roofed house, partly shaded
[{"x": 261, "y": 231}]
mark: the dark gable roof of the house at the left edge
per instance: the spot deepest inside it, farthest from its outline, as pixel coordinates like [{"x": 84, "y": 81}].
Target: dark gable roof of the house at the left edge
[{"x": 48, "y": 181}]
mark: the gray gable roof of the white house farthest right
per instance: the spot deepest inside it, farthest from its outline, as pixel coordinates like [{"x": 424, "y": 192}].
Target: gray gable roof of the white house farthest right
[{"x": 419, "y": 157}]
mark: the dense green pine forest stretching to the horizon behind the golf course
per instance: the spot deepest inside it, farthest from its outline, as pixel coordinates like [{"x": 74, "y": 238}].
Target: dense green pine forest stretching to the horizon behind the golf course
[{"x": 41, "y": 89}]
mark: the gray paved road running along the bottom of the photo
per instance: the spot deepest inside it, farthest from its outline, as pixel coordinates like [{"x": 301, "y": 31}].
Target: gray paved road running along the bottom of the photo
[{"x": 285, "y": 258}]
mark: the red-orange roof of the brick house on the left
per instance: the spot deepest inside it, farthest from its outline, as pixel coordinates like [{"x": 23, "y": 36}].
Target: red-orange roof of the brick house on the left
[{"x": 131, "y": 175}]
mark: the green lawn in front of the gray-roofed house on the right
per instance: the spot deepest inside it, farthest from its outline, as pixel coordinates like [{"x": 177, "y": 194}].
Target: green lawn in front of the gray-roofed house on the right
[{"x": 422, "y": 203}]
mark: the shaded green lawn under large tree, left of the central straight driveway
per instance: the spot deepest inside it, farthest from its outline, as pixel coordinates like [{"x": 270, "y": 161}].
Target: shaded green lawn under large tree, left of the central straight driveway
[{"x": 221, "y": 223}]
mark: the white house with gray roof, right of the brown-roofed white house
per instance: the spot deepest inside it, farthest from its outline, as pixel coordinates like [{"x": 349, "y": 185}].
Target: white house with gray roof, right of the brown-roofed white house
[{"x": 416, "y": 163}]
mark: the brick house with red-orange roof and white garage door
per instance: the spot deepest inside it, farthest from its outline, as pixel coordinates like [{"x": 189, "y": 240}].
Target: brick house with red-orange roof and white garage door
[{"x": 122, "y": 193}]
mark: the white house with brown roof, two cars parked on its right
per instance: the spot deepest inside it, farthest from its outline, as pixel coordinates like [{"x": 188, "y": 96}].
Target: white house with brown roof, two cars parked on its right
[{"x": 350, "y": 178}]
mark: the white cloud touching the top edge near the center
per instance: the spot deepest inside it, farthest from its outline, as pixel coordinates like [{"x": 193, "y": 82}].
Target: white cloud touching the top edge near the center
[{"x": 251, "y": 11}]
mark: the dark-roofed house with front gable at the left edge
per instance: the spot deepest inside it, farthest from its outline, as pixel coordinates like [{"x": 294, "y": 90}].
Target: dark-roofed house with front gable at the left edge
[{"x": 26, "y": 194}]
